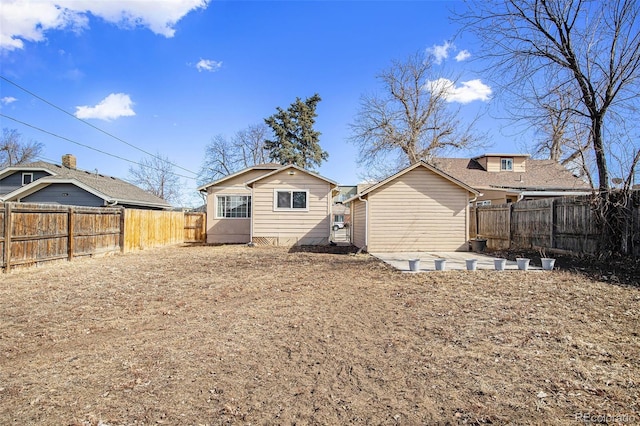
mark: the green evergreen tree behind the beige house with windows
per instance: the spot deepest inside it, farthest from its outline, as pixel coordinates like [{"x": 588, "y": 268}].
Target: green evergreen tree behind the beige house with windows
[{"x": 295, "y": 140}]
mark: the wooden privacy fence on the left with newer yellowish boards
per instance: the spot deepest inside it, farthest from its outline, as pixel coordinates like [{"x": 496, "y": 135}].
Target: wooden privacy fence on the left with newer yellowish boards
[{"x": 36, "y": 233}]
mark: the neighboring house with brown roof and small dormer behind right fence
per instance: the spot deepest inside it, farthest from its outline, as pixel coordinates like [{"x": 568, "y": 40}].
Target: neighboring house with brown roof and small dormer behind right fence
[{"x": 507, "y": 178}]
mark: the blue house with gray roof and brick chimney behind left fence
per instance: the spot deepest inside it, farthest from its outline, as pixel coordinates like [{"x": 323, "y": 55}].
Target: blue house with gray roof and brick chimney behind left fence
[{"x": 43, "y": 182}]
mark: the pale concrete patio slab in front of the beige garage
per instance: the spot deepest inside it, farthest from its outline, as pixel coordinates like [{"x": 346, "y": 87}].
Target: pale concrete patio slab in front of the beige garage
[{"x": 455, "y": 261}]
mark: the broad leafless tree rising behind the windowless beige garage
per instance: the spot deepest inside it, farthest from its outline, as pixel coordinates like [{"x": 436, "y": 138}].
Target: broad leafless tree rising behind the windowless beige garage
[{"x": 411, "y": 119}]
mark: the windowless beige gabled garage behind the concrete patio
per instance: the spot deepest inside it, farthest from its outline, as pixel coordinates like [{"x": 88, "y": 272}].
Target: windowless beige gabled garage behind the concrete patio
[{"x": 420, "y": 208}]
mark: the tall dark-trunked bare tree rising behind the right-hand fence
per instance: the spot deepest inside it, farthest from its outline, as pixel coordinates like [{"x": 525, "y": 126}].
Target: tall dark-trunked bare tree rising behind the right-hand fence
[{"x": 591, "y": 48}]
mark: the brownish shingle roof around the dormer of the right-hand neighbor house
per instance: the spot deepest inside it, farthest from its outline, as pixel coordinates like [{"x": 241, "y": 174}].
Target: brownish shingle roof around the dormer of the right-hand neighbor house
[{"x": 538, "y": 174}]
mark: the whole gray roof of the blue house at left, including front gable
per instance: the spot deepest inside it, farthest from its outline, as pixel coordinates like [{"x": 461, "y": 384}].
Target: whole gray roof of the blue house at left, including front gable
[{"x": 108, "y": 187}]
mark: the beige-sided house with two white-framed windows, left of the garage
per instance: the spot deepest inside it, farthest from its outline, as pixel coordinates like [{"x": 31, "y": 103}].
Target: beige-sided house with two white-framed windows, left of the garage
[{"x": 270, "y": 204}]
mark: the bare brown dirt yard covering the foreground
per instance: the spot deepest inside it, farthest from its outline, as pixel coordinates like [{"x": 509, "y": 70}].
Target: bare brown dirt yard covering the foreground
[{"x": 239, "y": 335}]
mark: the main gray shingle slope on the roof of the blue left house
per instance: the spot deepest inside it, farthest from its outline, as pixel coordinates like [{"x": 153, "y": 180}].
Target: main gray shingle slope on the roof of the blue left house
[{"x": 114, "y": 188}]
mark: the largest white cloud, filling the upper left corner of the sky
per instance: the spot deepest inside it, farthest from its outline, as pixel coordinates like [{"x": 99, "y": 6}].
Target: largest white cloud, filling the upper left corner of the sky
[{"x": 30, "y": 19}]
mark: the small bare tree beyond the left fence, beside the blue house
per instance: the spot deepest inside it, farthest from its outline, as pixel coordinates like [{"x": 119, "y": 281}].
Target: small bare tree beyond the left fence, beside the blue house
[{"x": 157, "y": 176}]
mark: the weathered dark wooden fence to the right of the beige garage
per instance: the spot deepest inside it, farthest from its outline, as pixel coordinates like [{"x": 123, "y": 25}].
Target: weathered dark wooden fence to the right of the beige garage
[{"x": 560, "y": 224}]
